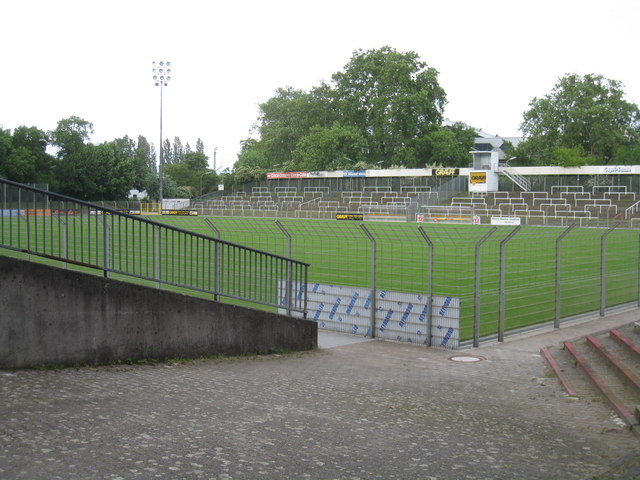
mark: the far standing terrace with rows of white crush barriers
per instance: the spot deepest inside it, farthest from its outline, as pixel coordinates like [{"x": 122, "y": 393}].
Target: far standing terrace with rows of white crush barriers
[{"x": 561, "y": 201}]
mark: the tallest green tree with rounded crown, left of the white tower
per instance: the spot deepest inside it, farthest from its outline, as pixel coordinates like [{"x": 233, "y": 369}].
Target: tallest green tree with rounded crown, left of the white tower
[{"x": 393, "y": 98}]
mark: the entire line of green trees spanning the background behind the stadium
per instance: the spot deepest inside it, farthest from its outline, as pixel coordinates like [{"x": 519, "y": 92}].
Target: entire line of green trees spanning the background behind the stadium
[{"x": 384, "y": 109}]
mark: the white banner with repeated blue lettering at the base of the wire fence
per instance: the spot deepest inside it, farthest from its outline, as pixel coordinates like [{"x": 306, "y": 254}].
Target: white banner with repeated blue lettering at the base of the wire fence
[{"x": 399, "y": 316}]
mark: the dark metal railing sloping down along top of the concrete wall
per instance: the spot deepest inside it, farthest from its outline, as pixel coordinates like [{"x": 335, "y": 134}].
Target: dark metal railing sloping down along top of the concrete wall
[{"x": 45, "y": 225}]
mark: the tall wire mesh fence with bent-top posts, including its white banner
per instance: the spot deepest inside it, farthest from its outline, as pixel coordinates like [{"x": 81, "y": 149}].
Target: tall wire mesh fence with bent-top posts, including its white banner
[{"x": 498, "y": 279}]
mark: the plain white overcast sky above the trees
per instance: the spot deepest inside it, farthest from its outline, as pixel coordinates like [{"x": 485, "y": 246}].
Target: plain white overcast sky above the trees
[{"x": 93, "y": 58}]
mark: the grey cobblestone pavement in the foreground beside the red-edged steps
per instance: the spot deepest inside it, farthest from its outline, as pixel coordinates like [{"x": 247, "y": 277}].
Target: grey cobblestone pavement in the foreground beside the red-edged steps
[{"x": 365, "y": 410}]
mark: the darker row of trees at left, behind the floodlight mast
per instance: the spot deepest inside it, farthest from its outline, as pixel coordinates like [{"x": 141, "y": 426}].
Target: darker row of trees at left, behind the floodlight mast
[{"x": 66, "y": 161}]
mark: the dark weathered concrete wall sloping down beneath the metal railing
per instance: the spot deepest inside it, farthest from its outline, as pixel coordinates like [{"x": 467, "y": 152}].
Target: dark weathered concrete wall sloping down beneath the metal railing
[{"x": 52, "y": 316}]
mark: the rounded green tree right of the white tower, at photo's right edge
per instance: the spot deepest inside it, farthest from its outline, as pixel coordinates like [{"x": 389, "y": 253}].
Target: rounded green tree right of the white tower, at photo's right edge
[{"x": 580, "y": 111}]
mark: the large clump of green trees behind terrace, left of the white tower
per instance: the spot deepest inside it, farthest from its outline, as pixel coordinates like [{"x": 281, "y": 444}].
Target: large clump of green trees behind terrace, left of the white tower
[{"x": 376, "y": 112}]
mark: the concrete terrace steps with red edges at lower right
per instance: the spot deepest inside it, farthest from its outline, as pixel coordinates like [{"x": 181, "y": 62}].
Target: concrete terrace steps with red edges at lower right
[{"x": 604, "y": 366}]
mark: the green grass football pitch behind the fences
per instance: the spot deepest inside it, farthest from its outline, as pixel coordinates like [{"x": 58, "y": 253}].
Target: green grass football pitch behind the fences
[{"x": 343, "y": 253}]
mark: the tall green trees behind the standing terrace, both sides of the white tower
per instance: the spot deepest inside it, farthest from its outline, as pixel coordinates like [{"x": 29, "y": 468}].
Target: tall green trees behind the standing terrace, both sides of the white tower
[{"x": 385, "y": 109}]
